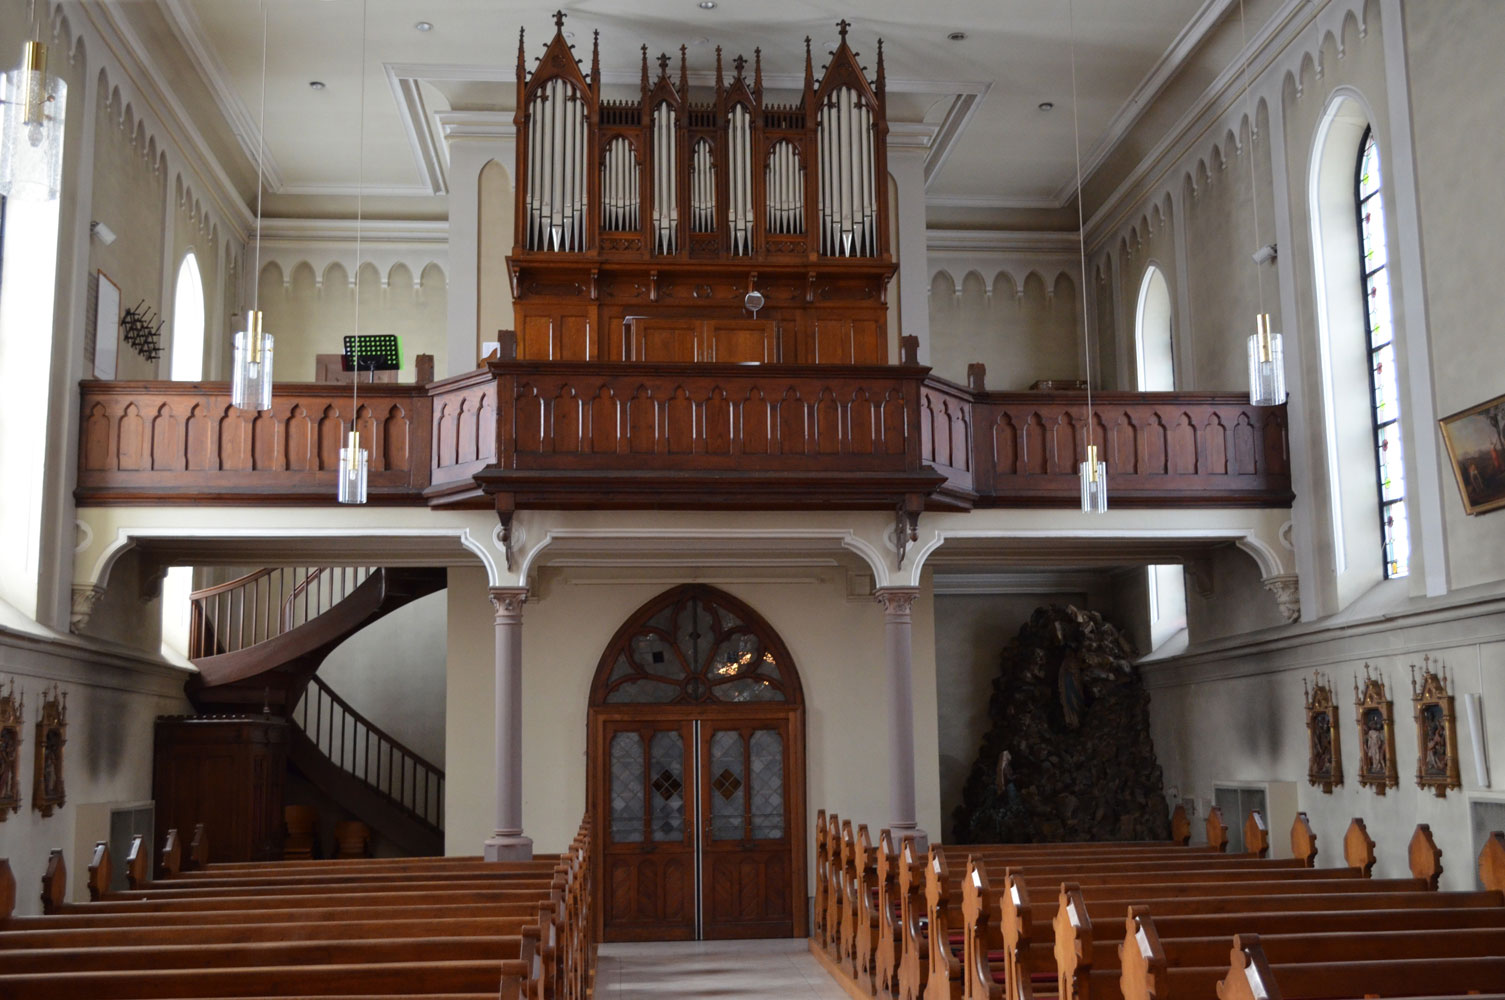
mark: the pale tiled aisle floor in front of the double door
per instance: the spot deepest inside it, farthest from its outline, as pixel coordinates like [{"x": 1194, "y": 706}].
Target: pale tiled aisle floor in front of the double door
[{"x": 743, "y": 971}]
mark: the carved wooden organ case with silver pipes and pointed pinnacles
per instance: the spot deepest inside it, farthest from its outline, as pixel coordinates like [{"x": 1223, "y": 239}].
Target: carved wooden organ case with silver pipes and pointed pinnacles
[{"x": 643, "y": 225}]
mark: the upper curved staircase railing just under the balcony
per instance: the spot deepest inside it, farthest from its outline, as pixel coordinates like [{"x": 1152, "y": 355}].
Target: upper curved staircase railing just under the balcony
[{"x": 264, "y": 605}]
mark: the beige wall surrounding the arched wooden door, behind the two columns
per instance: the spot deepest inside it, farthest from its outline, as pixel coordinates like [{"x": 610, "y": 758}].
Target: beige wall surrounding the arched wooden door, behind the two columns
[{"x": 838, "y": 645}]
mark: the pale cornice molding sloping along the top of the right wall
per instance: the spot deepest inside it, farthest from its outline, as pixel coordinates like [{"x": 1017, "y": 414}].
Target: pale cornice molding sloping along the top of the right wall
[{"x": 1272, "y": 38}]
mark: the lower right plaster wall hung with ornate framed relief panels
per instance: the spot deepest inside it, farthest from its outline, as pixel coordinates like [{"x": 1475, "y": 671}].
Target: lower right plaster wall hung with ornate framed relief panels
[{"x": 1239, "y": 716}]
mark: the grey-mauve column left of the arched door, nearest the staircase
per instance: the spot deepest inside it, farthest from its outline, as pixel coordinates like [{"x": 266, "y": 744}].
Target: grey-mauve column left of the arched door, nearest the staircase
[{"x": 508, "y": 843}]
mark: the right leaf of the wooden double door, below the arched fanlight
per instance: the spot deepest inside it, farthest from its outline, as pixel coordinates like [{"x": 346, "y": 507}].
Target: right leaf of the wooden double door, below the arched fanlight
[{"x": 746, "y": 829}]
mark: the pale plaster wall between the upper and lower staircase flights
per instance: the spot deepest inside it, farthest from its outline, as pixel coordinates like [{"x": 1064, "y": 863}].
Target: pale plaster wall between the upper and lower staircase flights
[{"x": 394, "y": 674}]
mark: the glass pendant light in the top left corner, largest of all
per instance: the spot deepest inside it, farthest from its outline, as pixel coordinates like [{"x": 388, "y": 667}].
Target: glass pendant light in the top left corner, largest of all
[{"x": 32, "y": 106}]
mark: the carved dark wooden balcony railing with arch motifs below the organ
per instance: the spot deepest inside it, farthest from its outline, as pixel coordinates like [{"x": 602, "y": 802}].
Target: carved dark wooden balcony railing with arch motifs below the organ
[{"x": 615, "y": 436}]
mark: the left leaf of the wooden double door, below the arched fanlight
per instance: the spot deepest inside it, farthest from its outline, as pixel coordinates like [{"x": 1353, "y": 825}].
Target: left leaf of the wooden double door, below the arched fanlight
[{"x": 649, "y": 846}]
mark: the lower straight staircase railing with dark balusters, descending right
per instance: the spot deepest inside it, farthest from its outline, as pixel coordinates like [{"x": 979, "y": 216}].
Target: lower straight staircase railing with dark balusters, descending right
[{"x": 365, "y": 752}]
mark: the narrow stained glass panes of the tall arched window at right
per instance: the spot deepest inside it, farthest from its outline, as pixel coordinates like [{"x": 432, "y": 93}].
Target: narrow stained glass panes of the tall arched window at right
[{"x": 1384, "y": 377}]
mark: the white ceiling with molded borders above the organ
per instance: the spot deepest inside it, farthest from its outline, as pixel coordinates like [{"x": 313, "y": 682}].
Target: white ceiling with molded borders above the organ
[{"x": 987, "y": 88}]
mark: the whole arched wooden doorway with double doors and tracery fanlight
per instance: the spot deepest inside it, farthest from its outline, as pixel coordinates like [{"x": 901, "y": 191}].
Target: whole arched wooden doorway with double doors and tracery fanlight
[{"x": 698, "y": 775}]
